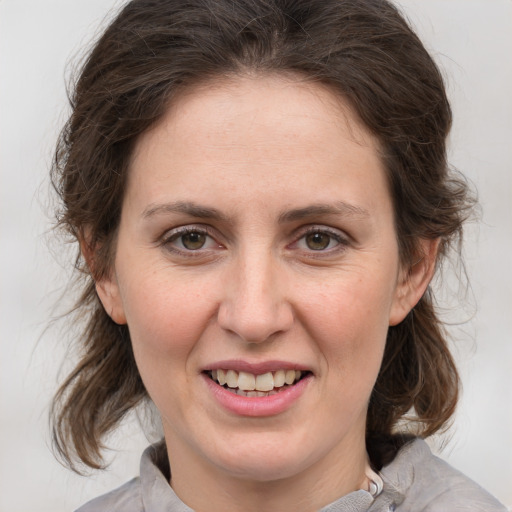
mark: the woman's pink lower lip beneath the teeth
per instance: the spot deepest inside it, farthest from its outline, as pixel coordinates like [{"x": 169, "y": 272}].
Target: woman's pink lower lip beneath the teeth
[{"x": 261, "y": 405}]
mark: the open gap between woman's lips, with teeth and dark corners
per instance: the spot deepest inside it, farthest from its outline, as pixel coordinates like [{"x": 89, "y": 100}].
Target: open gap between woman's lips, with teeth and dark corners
[{"x": 250, "y": 385}]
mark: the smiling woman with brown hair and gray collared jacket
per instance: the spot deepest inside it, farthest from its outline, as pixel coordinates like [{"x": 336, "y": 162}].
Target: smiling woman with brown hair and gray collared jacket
[{"x": 261, "y": 196}]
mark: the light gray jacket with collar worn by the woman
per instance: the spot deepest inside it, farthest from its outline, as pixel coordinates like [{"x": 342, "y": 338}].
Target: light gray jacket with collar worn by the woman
[{"x": 416, "y": 481}]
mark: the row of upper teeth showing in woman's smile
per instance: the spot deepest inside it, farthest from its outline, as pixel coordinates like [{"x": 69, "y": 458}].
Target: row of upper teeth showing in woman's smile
[{"x": 249, "y": 382}]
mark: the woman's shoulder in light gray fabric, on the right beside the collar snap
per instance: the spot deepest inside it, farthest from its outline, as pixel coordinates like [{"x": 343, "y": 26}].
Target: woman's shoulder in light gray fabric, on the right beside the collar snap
[{"x": 429, "y": 484}]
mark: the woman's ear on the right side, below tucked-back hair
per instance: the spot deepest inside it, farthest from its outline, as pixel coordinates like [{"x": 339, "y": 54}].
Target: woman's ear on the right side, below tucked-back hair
[{"x": 413, "y": 280}]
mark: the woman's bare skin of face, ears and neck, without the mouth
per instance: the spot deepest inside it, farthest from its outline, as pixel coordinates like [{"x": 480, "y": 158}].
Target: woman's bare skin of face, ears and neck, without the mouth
[{"x": 260, "y": 151}]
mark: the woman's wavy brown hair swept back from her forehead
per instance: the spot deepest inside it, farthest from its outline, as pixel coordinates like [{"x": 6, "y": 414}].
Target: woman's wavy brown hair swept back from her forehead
[{"x": 366, "y": 52}]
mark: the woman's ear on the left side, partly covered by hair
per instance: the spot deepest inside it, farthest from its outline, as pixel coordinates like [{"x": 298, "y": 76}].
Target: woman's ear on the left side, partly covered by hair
[{"x": 107, "y": 286}]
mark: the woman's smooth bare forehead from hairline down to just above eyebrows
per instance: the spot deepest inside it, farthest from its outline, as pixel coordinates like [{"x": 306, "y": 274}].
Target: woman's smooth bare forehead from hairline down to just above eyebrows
[{"x": 281, "y": 133}]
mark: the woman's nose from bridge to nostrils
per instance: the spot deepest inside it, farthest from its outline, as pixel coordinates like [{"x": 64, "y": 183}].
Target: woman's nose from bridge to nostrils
[{"x": 254, "y": 305}]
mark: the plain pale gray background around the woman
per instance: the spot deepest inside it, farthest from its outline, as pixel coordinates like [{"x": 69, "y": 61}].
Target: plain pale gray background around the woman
[{"x": 472, "y": 41}]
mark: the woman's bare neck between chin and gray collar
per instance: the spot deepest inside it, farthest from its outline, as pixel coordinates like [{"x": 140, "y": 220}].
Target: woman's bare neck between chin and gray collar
[{"x": 205, "y": 488}]
